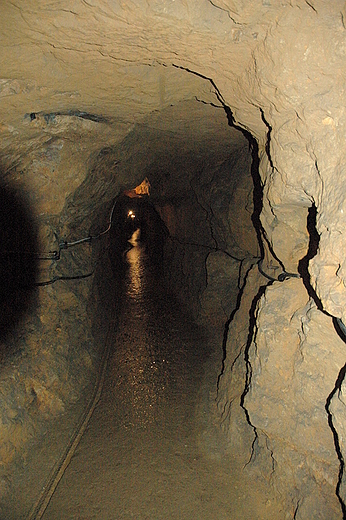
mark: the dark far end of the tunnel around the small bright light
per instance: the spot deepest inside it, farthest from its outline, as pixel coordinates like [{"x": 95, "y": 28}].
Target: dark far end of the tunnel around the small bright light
[{"x": 131, "y": 214}]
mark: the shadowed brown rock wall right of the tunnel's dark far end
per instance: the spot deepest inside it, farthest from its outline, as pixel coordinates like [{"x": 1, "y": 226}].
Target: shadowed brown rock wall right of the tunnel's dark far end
[{"x": 212, "y": 240}]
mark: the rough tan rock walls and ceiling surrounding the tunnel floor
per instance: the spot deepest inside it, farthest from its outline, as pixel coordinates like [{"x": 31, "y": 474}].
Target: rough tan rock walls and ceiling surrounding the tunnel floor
[{"x": 235, "y": 111}]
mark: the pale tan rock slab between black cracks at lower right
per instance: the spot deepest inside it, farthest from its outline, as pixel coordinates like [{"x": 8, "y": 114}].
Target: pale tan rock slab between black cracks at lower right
[{"x": 289, "y": 353}]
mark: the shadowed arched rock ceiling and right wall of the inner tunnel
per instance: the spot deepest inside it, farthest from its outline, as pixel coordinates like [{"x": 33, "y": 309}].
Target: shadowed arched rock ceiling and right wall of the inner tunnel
[{"x": 201, "y": 174}]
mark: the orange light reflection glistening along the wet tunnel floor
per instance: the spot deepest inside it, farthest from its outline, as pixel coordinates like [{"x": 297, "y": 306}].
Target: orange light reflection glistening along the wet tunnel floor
[{"x": 151, "y": 375}]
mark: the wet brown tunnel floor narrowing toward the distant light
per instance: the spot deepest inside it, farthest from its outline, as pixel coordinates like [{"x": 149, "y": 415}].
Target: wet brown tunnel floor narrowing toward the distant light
[{"x": 140, "y": 455}]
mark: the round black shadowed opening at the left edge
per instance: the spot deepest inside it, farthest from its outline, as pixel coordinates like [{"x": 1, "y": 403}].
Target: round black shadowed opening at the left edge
[{"x": 18, "y": 260}]
